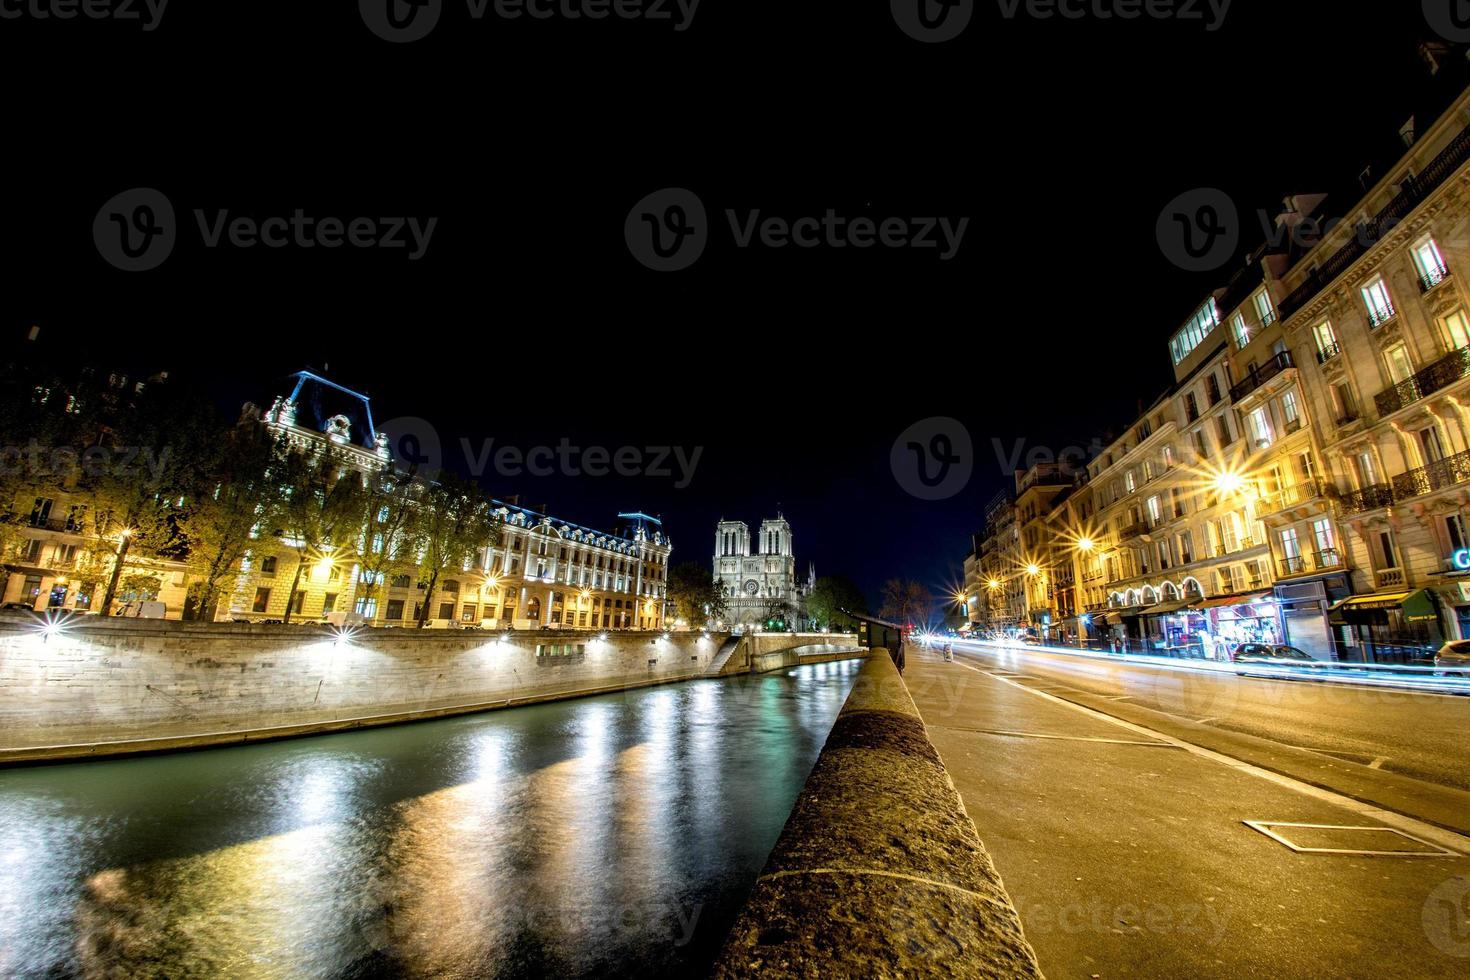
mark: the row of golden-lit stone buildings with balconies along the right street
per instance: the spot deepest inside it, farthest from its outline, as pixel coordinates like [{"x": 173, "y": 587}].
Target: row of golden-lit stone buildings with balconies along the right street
[{"x": 1306, "y": 478}]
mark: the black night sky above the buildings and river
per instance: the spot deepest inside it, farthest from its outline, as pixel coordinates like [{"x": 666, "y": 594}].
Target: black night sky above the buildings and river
[{"x": 528, "y": 321}]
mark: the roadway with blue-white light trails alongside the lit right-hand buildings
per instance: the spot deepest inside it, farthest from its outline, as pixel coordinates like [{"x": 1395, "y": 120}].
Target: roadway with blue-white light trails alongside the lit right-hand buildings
[{"x": 1421, "y": 735}]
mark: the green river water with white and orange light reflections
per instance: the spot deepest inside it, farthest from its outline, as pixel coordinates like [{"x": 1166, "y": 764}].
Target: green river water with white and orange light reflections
[{"x": 612, "y": 835}]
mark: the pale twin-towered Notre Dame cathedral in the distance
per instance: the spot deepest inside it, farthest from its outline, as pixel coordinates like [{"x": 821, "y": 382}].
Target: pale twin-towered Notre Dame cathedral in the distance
[{"x": 764, "y": 583}]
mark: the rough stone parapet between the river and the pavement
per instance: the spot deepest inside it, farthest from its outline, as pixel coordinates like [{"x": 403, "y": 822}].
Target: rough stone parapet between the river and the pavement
[{"x": 880, "y": 871}]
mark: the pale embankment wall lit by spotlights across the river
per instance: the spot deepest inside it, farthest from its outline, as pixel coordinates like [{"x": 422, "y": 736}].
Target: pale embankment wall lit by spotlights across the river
[{"x": 112, "y": 687}]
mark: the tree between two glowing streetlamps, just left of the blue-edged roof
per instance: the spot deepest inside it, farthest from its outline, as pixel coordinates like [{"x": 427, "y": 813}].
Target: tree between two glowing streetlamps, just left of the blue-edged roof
[{"x": 234, "y": 500}]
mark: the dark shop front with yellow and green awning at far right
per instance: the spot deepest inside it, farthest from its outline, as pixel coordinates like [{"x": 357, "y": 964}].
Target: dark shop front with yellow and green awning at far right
[{"x": 1388, "y": 628}]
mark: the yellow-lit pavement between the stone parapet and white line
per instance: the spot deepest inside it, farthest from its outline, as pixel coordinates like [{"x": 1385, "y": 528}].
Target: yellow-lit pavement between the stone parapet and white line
[{"x": 1127, "y": 851}]
